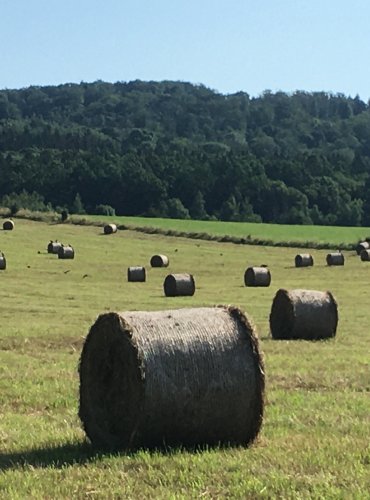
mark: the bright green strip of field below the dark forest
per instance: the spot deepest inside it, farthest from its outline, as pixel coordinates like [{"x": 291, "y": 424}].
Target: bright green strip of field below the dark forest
[{"x": 273, "y": 232}]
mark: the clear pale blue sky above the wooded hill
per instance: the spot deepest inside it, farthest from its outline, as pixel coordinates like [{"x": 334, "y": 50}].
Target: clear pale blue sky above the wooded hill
[{"x": 227, "y": 45}]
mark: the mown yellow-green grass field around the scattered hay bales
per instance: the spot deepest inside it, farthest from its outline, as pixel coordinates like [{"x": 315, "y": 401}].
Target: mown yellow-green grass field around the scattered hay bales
[{"x": 314, "y": 441}]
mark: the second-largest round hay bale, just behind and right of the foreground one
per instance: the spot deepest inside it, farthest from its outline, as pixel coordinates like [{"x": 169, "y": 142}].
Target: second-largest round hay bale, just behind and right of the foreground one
[{"x": 303, "y": 314}]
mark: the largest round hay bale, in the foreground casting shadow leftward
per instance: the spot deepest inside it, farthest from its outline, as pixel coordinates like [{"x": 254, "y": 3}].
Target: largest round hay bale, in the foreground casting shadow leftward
[{"x": 177, "y": 377}]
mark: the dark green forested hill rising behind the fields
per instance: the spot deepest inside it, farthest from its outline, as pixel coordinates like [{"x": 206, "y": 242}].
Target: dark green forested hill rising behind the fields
[{"x": 174, "y": 149}]
